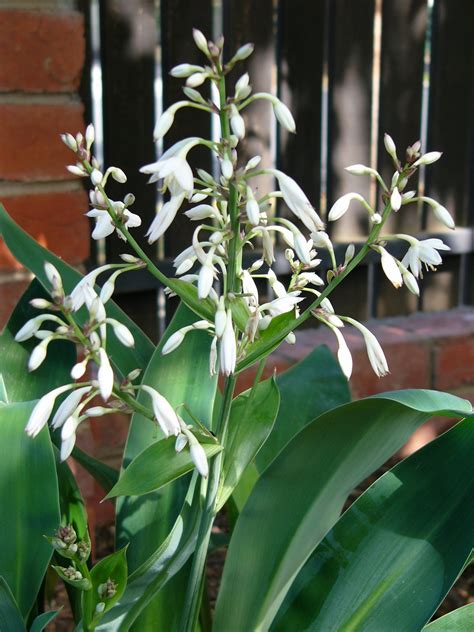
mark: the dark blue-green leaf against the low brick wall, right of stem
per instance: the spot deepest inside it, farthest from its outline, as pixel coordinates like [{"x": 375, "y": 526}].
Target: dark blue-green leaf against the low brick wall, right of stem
[{"x": 317, "y": 384}]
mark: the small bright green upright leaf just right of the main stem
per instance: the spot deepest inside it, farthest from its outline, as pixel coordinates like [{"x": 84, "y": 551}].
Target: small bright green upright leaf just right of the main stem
[{"x": 251, "y": 420}]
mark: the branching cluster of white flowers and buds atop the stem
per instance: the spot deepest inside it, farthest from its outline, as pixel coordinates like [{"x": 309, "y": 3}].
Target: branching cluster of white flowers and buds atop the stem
[{"x": 231, "y": 217}]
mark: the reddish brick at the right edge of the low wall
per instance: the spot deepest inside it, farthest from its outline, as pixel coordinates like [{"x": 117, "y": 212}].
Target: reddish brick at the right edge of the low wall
[{"x": 454, "y": 362}]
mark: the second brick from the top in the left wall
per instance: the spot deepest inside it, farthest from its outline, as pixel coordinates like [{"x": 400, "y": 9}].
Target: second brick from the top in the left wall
[{"x": 30, "y": 147}]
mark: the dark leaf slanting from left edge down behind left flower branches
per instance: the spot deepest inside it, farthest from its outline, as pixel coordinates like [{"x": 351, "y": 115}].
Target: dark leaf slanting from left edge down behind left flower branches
[{"x": 33, "y": 256}]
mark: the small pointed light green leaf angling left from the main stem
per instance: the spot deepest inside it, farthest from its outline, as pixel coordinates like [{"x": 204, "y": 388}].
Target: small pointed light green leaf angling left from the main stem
[{"x": 156, "y": 466}]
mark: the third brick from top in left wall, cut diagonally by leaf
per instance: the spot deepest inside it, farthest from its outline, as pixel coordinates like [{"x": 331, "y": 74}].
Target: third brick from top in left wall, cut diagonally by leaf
[{"x": 55, "y": 220}]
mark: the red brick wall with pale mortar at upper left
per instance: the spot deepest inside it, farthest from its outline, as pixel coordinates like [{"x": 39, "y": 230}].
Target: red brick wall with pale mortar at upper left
[{"x": 42, "y": 57}]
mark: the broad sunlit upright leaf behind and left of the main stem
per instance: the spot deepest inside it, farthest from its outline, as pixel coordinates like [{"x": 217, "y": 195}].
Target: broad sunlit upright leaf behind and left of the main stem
[{"x": 145, "y": 522}]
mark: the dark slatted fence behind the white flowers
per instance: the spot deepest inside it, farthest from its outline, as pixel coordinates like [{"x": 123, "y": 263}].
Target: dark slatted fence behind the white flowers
[{"x": 348, "y": 69}]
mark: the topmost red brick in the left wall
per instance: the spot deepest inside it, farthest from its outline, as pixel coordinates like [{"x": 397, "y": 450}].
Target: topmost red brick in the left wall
[{"x": 41, "y": 52}]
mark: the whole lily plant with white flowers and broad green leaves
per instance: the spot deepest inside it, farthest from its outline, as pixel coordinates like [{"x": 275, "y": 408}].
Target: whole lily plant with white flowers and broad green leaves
[{"x": 276, "y": 462}]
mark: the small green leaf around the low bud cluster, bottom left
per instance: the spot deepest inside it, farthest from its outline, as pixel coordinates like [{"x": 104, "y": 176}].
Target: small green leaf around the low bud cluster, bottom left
[{"x": 113, "y": 567}]
